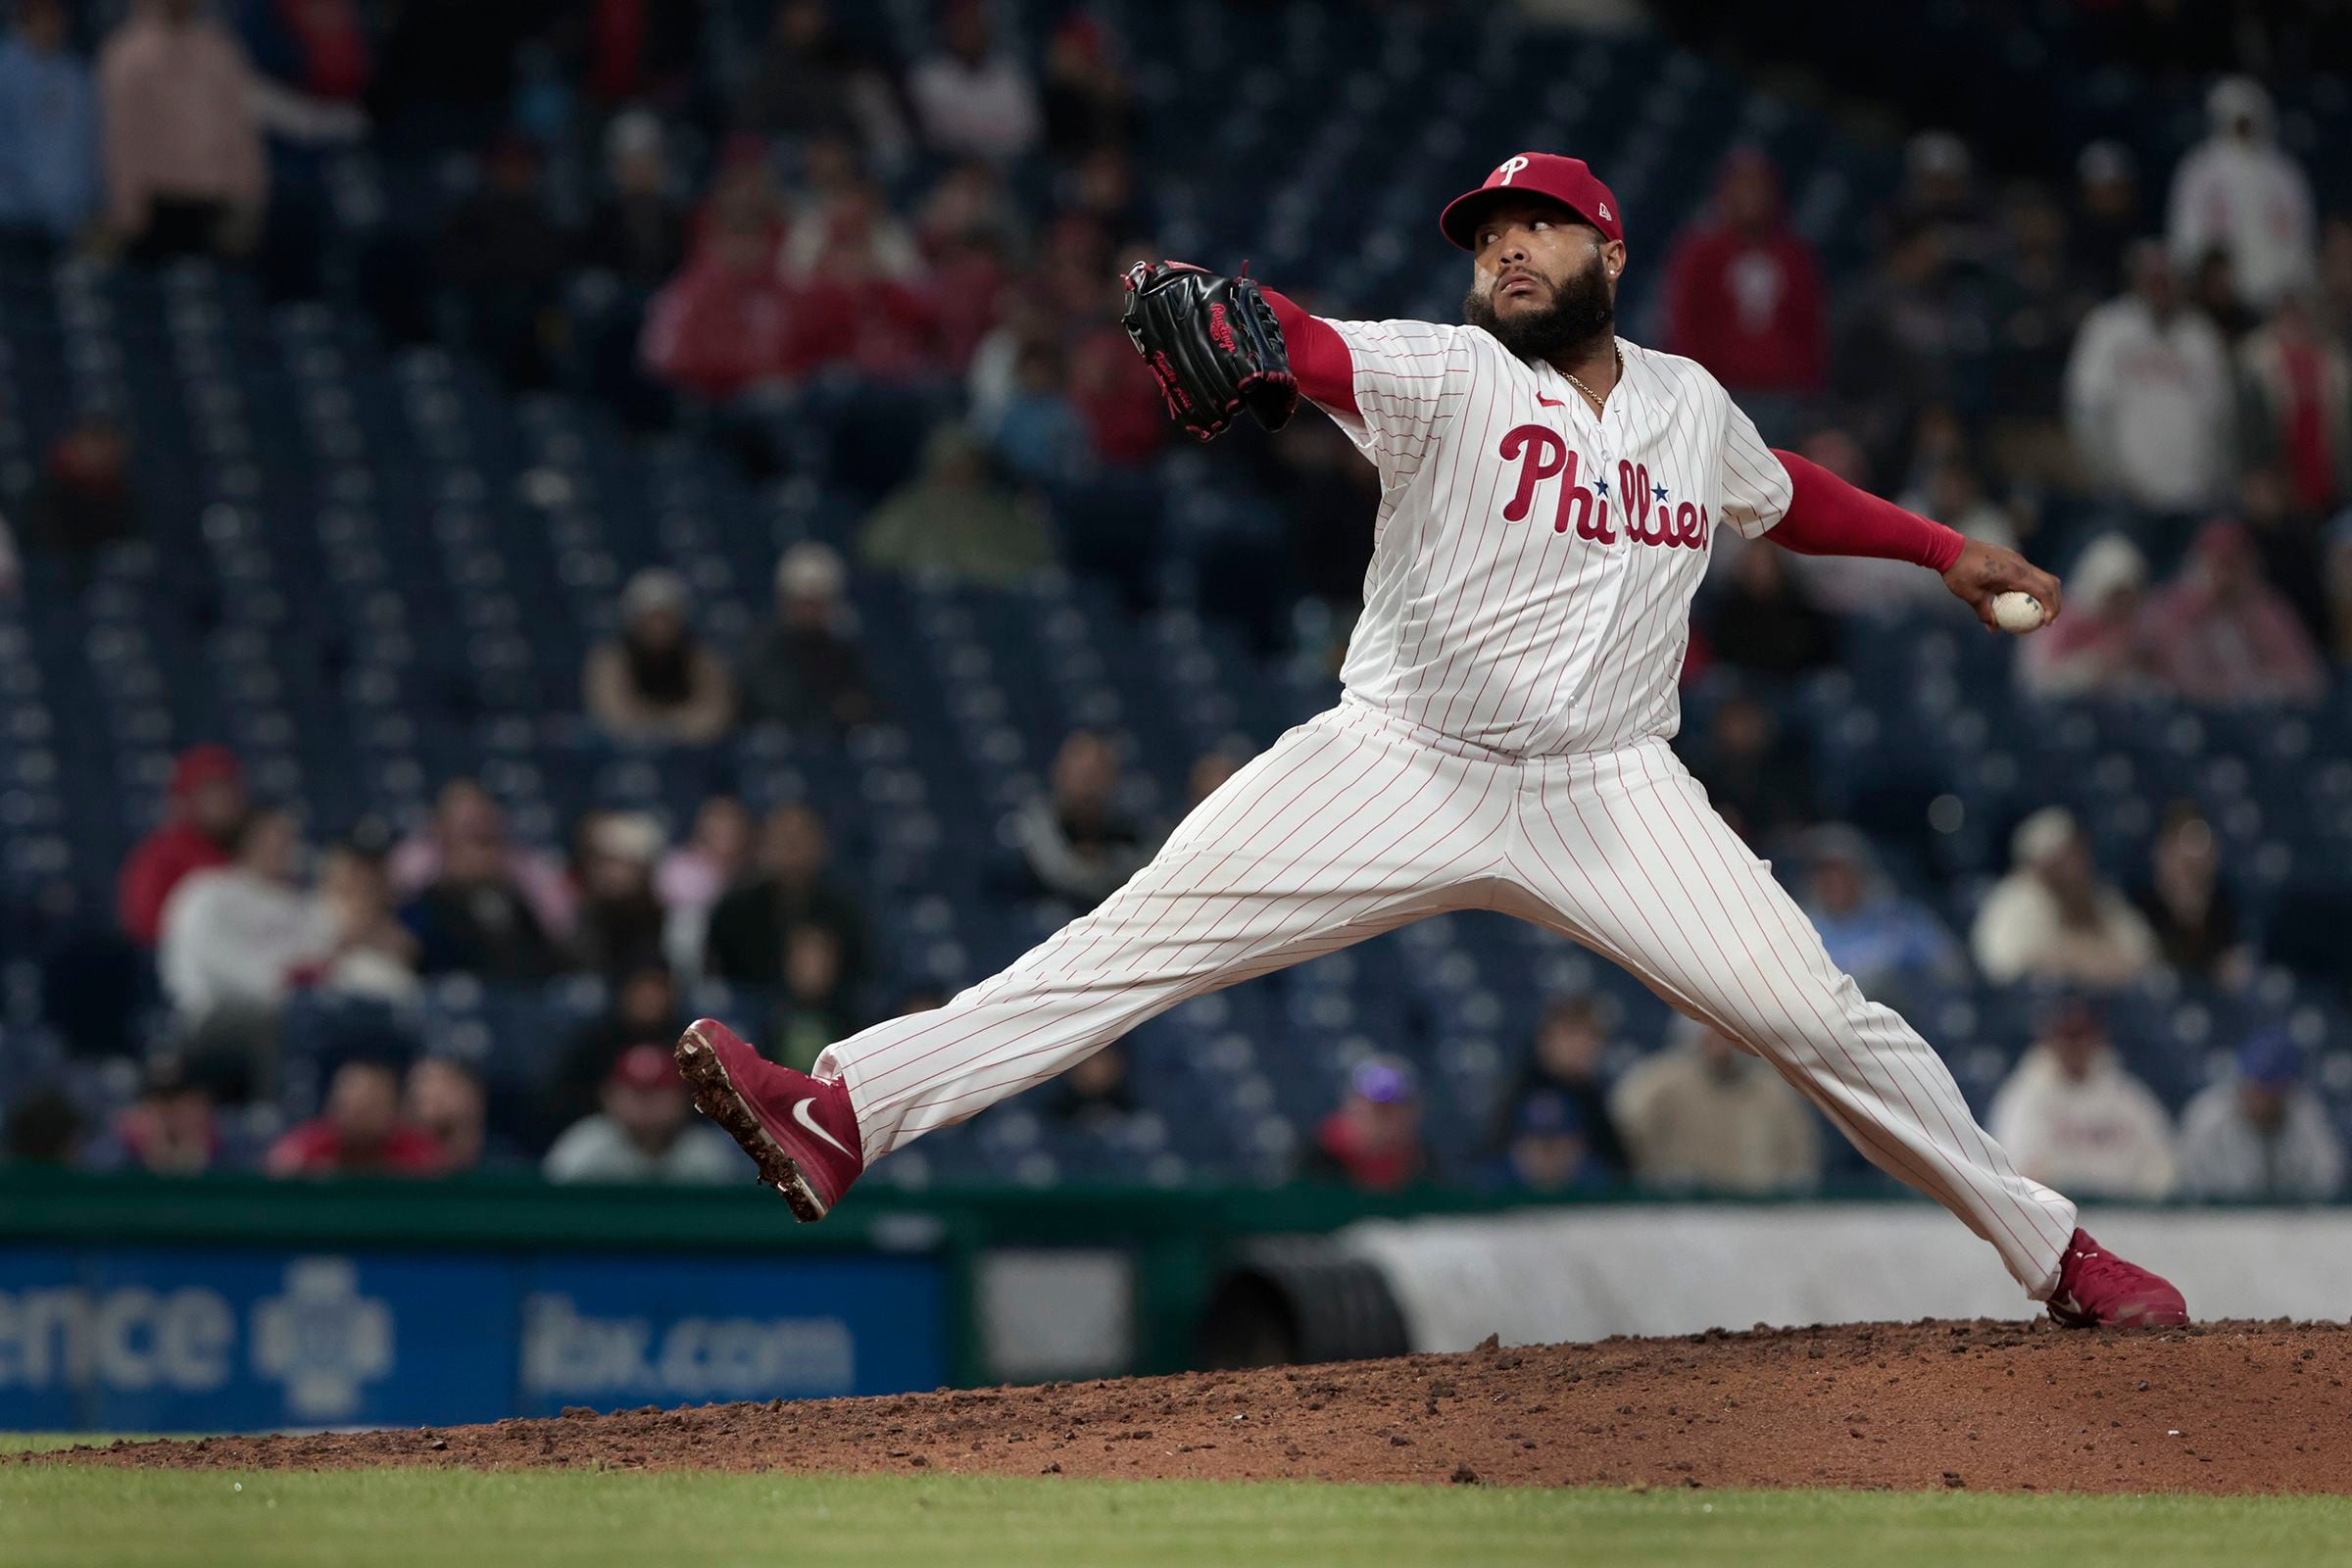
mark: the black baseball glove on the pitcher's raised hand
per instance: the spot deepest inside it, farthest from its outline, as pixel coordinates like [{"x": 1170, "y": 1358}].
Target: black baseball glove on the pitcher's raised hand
[{"x": 1215, "y": 347}]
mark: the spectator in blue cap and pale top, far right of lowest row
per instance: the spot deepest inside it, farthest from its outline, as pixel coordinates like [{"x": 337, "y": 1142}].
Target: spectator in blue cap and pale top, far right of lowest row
[{"x": 2261, "y": 1134}]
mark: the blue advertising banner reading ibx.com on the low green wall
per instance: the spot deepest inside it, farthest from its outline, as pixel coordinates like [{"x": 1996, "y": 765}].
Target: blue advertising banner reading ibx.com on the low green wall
[{"x": 243, "y": 1341}]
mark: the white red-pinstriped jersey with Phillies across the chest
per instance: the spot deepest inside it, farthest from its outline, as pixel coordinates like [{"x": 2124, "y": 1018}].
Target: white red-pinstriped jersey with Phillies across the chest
[{"x": 1514, "y": 601}]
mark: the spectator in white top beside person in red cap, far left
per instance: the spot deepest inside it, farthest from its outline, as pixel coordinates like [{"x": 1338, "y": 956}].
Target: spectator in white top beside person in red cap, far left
[{"x": 246, "y": 934}]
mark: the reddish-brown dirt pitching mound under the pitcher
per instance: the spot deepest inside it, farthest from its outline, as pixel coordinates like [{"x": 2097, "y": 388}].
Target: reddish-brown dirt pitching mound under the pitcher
[{"x": 2210, "y": 1409}]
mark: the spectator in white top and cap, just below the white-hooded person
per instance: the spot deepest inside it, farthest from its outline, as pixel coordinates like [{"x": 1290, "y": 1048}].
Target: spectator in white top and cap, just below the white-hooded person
[{"x": 2149, "y": 396}]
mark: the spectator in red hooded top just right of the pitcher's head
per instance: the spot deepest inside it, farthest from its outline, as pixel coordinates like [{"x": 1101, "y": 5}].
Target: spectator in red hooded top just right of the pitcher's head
[{"x": 1744, "y": 293}]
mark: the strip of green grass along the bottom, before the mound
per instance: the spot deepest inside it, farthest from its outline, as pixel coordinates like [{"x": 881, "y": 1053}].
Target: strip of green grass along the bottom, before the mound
[{"x": 460, "y": 1520}]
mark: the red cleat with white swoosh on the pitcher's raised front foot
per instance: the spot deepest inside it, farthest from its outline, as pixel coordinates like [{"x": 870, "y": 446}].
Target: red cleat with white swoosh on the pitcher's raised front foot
[{"x": 799, "y": 1130}]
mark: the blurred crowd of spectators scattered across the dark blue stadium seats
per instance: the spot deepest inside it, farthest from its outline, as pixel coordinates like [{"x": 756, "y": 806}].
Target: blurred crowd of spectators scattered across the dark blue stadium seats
[{"x": 2137, "y": 375}]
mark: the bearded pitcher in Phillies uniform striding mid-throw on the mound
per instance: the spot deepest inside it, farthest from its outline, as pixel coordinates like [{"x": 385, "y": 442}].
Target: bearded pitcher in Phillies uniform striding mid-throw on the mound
[{"x": 1549, "y": 497}]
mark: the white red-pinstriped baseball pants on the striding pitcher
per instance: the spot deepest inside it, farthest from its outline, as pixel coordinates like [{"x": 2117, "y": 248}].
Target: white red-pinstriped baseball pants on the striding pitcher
[{"x": 1356, "y": 824}]
